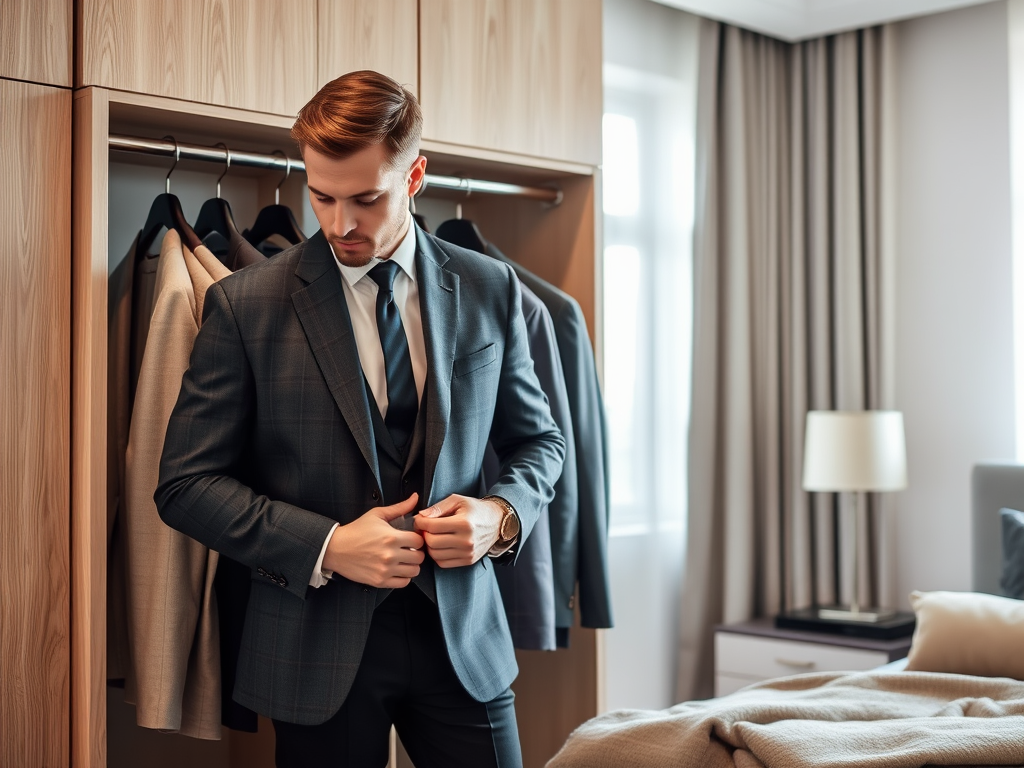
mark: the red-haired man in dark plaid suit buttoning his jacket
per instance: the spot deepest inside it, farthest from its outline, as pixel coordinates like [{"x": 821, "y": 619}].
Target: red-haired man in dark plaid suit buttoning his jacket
[{"x": 330, "y": 435}]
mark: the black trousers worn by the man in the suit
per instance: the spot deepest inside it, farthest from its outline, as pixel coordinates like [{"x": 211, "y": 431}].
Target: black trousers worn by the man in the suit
[{"x": 406, "y": 679}]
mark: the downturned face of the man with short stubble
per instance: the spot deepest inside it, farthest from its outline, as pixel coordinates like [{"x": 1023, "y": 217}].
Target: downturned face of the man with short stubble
[{"x": 362, "y": 203}]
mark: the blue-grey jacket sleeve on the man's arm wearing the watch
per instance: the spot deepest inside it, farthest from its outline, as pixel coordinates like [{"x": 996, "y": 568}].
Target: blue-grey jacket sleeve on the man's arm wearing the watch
[{"x": 530, "y": 447}]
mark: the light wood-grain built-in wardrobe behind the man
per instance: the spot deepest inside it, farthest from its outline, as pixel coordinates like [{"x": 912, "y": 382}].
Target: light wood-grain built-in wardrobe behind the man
[{"x": 511, "y": 92}]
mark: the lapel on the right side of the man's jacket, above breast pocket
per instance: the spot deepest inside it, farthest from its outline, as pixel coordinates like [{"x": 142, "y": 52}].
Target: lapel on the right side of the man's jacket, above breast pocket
[{"x": 440, "y": 310}]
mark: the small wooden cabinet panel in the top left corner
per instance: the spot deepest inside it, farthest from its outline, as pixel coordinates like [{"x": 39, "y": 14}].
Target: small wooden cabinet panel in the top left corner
[{"x": 35, "y": 41}]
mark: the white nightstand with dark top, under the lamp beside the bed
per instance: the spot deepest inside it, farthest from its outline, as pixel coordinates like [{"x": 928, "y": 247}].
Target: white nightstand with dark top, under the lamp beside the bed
[{"x": 757, "y": 651}]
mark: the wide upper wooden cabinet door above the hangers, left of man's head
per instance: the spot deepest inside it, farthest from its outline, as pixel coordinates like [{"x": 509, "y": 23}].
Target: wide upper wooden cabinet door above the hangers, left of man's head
[{"x": 252, "y": 55}]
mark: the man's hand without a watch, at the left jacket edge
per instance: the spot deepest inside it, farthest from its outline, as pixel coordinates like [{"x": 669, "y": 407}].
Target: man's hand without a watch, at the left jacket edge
[{"x": 370, "y": 551}]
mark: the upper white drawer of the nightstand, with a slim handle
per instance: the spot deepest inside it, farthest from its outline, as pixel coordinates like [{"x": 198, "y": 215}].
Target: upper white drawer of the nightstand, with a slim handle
[{"x": 764, "y": 659}]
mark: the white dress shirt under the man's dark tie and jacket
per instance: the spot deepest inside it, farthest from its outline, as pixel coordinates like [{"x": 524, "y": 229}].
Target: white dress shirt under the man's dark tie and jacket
[{"x": 361, "y": 295}]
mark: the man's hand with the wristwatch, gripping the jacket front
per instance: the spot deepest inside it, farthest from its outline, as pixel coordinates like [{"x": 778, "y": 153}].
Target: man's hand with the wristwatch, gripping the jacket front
[{"x": 459, "y": 531}]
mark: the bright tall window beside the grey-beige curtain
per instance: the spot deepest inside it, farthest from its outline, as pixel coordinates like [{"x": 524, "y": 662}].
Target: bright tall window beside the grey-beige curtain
[{"x": 649, "y": 222}]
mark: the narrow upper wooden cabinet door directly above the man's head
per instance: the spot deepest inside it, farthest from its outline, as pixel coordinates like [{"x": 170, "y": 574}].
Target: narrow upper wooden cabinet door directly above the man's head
[{"x": 379, "y": 35}]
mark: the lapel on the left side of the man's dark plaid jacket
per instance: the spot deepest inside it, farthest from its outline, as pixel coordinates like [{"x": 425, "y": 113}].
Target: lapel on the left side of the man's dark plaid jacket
[{"x": 324, "y": 315}]
